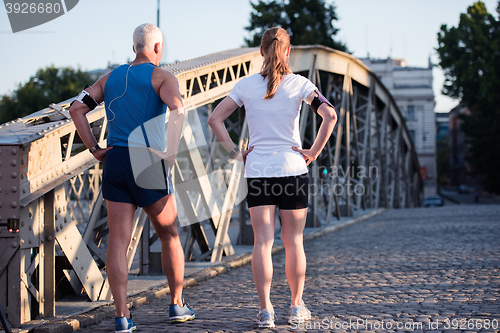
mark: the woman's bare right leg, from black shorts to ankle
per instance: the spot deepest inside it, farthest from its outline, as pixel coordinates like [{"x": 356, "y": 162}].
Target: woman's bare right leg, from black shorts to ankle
[{"x": 293, "y": 223}]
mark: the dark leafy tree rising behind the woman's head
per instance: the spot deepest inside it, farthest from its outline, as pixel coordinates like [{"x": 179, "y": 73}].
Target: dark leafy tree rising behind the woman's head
[{"x": 307, "y": 21}]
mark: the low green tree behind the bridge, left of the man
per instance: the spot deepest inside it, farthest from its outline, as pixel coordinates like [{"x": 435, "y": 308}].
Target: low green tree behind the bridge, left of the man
[{"x": 49, "y": 85}]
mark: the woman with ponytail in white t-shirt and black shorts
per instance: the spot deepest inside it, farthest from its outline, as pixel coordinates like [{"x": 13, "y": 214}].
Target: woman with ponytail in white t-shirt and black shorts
[{"x": 275, "y": 165}]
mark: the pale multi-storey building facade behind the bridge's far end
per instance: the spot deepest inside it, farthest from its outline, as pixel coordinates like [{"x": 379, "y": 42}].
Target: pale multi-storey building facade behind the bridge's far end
[{"x": 411, "y": 88}]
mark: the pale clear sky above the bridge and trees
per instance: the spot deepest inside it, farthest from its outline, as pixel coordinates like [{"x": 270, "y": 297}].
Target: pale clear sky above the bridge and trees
[{"x": 97, "y": 32}]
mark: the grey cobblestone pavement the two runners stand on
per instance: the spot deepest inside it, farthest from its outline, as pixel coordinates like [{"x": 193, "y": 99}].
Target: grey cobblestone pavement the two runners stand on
[{"x": 398, "y": 271}]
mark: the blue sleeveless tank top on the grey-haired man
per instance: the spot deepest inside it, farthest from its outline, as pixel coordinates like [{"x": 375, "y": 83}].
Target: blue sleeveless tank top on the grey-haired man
[{"x": 135, "y": 112}]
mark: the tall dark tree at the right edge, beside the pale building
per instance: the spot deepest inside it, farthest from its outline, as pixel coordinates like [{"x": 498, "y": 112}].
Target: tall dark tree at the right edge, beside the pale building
[{"x": 470, "y": 57}]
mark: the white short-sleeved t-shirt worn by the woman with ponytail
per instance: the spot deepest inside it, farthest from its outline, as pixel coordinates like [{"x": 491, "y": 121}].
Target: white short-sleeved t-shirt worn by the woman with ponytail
[{"x": 273, "y": 124}]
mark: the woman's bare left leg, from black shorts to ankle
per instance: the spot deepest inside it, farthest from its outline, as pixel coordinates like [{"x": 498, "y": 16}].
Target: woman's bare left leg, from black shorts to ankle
[{"x": 263, "y": 218}]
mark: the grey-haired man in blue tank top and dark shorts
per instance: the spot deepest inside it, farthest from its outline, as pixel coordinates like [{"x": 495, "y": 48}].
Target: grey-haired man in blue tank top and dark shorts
[{"x": 135, "y": 94}]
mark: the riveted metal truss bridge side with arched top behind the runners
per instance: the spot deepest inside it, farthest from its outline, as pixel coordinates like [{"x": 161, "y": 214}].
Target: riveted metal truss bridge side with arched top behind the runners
[{"x": 53, "y": 220}]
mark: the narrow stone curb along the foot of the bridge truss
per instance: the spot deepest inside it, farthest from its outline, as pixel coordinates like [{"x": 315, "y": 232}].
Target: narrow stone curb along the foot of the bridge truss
[{"x": 97, "y": 314}]
